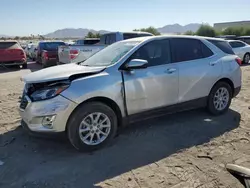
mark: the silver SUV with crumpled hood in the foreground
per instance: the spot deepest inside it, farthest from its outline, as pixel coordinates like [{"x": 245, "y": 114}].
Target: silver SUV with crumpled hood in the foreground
[{"x": 129, "y": 81}]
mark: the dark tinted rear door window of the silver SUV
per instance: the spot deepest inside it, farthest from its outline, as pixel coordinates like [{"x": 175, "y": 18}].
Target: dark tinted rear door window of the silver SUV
[{"x": 186, "y": 49}]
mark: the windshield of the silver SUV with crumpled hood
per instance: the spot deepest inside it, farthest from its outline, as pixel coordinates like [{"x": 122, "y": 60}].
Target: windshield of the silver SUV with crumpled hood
[{"x": 111, "y": 54}]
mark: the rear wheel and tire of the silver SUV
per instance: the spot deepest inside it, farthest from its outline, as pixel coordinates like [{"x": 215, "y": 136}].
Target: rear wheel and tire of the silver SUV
[{"x": 219, "y": 98}]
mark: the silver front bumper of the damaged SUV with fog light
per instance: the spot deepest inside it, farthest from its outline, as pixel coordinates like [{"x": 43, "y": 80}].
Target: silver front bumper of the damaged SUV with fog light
[{"x": 34, "y": 114}]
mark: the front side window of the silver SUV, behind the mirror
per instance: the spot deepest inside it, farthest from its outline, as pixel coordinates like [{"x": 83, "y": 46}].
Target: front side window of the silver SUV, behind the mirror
[{"x": 155, "y": 52}]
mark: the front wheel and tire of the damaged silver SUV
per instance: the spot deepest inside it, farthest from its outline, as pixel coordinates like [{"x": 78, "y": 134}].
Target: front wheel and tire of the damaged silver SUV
[{"x": 92, "y": 126}]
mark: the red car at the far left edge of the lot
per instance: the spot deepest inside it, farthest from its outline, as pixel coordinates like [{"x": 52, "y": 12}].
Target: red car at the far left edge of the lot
[{"x": 11, "y": 53}]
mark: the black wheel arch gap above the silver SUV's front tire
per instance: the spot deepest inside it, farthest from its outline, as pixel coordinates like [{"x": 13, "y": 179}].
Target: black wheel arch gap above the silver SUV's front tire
[{"x": 107, "y": 101}]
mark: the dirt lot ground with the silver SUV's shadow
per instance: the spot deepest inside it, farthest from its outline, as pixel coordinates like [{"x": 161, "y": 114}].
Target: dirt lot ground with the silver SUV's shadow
[{"x": 188, "y": 149}]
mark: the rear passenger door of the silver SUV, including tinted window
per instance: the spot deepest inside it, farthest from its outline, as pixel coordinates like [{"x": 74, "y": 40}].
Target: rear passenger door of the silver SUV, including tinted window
[{"x": 198, "y": 68}]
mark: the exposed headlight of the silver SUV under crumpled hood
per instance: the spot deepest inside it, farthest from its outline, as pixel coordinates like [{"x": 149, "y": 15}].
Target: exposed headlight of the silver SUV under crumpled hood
[{"x": 48, "y": 92}]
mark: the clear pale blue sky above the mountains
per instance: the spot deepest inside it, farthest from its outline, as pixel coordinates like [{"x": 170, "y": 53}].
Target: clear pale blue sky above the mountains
[{"x": 25, "y": 17}]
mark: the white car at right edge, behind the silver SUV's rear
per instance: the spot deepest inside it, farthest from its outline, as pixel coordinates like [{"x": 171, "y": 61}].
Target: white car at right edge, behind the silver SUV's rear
[{"x": 241, "y": 49}]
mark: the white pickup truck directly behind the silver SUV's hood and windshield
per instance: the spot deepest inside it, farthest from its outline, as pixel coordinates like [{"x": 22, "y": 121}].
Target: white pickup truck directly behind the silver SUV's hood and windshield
[{"x": 81, "y": 52}]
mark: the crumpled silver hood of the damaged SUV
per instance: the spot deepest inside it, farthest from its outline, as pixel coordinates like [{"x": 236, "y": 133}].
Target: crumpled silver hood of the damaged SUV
[{"x": 61, "y": 72}]
